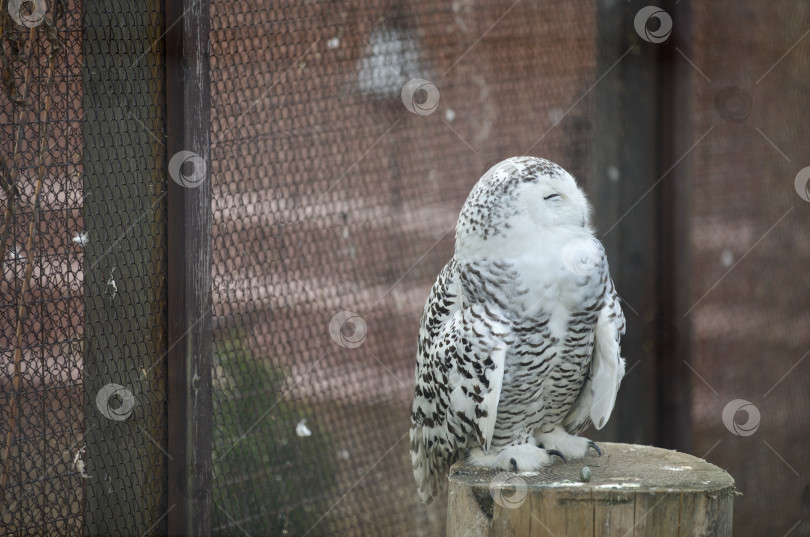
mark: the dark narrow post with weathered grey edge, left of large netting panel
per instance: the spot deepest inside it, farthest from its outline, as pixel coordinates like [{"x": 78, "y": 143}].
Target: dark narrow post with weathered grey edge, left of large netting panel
[{"x": 189, "y": 274}]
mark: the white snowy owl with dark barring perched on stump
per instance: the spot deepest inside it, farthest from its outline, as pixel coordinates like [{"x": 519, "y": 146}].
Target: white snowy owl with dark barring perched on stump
[{"x": 518, "y": 346}]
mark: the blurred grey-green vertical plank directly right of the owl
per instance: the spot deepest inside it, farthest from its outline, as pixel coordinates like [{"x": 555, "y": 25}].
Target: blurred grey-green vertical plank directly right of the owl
[{"x": 625, "y": 167}]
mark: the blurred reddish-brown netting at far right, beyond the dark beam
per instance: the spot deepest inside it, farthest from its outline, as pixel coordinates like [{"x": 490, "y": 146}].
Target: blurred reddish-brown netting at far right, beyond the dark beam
[{"x": 750, "y": 251}]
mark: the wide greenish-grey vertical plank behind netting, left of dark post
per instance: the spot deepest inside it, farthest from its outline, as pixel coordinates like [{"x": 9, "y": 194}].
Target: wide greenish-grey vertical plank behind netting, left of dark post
[{"x": 124, "y": 269}]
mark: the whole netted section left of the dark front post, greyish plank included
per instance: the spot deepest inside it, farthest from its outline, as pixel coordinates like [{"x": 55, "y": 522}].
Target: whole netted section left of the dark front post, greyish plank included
[{"x": 82, "y": 407}]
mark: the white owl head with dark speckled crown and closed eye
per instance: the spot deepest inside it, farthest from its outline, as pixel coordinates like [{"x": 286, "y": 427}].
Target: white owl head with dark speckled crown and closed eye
[{"x": 519, "y": 200}]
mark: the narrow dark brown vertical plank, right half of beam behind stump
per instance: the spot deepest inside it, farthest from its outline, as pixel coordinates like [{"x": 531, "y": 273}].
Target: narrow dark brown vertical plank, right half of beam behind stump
[{"x": 674, "y": 259}]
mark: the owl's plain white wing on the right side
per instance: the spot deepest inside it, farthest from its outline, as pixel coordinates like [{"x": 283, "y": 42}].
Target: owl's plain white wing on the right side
[{"x": 595, "y": 402}]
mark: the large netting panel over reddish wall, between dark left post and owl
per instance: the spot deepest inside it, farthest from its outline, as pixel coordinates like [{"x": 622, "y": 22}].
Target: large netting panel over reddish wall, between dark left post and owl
[{"x": 336, "y": 190}]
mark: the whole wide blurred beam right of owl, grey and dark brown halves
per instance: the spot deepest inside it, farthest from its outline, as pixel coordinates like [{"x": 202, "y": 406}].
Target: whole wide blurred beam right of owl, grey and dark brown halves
[{"x": 640, "y": 186}]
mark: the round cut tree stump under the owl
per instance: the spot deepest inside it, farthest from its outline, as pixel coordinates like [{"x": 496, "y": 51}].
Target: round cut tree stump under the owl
[{"x": 633, "y": 491}]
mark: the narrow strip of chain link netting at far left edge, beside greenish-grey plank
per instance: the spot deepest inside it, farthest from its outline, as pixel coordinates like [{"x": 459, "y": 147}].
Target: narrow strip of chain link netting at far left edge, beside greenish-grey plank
[{"x": 40, "y": 232}]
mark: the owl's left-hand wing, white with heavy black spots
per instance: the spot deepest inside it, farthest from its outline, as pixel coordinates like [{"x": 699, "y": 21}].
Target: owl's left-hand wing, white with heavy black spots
[{"x": 459, "y": 372}]
